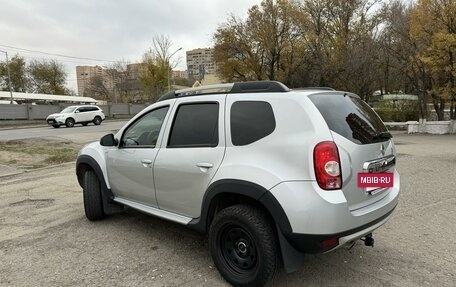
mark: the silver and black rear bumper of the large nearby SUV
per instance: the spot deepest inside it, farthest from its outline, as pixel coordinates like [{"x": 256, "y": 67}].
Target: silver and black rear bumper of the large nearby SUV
[{"x": 322, "y": 221}]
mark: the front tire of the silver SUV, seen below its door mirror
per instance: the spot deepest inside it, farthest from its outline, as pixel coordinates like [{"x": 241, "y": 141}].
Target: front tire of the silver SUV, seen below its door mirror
[{"x": 93, "y": 203}]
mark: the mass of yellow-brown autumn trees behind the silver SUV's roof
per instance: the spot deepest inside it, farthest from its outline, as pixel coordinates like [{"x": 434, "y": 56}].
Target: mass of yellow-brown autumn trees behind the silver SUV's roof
[{"x": 357, "y": 45}]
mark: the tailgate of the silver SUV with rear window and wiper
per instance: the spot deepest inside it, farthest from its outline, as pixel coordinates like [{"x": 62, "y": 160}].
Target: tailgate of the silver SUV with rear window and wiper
[{"x": 364, "y": 143}]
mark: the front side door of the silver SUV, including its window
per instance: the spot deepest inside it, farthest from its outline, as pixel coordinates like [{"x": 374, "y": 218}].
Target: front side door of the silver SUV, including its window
[{"x": 129, "y": 166}]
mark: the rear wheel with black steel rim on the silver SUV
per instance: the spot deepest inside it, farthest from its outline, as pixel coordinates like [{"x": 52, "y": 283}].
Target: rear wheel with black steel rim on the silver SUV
[{"x": 244, "y": 246}]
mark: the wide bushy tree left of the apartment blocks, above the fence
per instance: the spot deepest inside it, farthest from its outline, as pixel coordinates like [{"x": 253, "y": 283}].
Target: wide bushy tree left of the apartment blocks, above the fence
[{"x": 47, "y": 77}]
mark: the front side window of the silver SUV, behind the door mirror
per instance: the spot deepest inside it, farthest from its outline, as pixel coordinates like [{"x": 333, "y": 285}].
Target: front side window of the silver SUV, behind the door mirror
[{"x": 144, "y": 132}]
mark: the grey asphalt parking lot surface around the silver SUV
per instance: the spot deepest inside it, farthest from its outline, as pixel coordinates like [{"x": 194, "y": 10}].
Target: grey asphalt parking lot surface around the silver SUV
[{"x": 45, "y": 239}]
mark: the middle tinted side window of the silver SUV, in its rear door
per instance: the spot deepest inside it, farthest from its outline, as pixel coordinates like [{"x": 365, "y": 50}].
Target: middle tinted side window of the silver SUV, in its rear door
[{"x": 195, "y": 125}]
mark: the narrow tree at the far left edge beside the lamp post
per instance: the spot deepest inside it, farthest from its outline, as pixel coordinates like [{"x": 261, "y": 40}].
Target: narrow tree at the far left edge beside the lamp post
[{"x": 18, "y": 71}]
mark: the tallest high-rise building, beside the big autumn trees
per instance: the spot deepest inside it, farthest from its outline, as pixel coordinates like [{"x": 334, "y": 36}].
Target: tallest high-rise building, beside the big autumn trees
[{"x": 200, "y": 62}]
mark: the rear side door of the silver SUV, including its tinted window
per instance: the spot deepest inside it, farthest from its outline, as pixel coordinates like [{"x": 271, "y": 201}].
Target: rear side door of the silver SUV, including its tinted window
[{"x": 190, "y": 154}]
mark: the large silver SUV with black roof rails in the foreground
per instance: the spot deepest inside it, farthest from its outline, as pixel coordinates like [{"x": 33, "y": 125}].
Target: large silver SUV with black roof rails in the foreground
[{"x": 267, "y": 172}]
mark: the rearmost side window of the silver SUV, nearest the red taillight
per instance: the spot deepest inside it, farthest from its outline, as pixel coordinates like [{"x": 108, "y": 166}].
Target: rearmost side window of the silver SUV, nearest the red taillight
[{"x": 251, "y": 121}]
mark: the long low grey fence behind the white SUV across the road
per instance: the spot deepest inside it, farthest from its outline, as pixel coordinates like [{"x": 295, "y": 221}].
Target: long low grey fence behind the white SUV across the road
[{"x": 40, "y": 112}]
